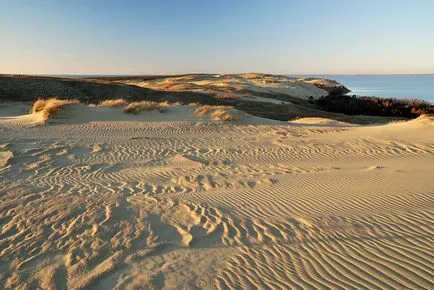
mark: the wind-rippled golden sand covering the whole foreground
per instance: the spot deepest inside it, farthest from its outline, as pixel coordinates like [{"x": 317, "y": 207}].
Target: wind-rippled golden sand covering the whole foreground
[{"x": 96, "y": 198}]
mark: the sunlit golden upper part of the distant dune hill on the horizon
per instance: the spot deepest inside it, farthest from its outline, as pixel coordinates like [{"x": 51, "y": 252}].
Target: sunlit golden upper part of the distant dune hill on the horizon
[{"x": 237, "y": 85}]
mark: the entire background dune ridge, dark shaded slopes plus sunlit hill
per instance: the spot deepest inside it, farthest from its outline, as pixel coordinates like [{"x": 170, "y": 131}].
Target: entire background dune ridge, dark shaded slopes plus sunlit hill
[{"x": 264, "y": 95}]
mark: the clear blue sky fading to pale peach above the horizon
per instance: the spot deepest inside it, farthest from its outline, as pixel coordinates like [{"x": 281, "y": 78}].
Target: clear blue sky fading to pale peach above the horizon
[{"x": 179, "y": 36}]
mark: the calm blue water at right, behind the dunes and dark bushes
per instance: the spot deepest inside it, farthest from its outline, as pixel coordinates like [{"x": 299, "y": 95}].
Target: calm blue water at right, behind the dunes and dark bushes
[{"x": 398, "y": 86}]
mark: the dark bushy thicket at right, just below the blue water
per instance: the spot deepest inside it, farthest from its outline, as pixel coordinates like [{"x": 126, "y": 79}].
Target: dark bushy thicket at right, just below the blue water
[{"x": 374, "y": 106}]
